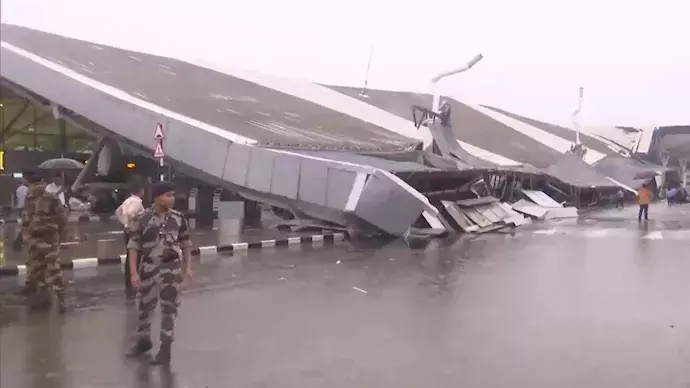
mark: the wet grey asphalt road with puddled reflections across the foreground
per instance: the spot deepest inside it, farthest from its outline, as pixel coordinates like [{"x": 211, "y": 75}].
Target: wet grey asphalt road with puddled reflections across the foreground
[{"x": 597, "y": 303}]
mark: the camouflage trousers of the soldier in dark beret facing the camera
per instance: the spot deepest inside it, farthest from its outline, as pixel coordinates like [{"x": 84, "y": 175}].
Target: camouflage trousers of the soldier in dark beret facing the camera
[{"x": 159, "y": 281}]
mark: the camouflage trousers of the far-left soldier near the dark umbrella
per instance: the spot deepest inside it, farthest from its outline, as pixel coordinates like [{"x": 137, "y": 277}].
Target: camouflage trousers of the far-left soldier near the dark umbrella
[{"x": 43, "y": 268}]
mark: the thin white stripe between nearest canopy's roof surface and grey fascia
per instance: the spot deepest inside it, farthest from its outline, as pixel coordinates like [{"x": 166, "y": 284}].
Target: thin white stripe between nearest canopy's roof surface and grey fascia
[{"x": 124, "y": 96}]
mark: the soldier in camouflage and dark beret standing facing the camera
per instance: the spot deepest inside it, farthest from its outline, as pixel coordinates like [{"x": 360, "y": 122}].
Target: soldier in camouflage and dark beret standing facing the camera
[{"x": 161, "y": 236}]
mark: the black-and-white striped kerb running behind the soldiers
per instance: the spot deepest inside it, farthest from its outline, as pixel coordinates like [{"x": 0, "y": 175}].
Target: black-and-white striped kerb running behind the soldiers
[{"x": 92, "y": 262}]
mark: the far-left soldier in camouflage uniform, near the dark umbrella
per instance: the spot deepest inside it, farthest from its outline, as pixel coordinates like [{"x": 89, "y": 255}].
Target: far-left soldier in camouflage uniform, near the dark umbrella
[{"x": 43, "y": 223}]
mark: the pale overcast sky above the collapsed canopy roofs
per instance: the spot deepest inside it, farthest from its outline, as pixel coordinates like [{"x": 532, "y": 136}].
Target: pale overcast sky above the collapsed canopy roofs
[{"x": 632, "y": 57}]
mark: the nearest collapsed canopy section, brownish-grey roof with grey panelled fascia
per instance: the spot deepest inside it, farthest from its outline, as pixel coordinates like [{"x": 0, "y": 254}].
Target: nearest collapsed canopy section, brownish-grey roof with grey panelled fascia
[{"x": 215, "y": 126}]
